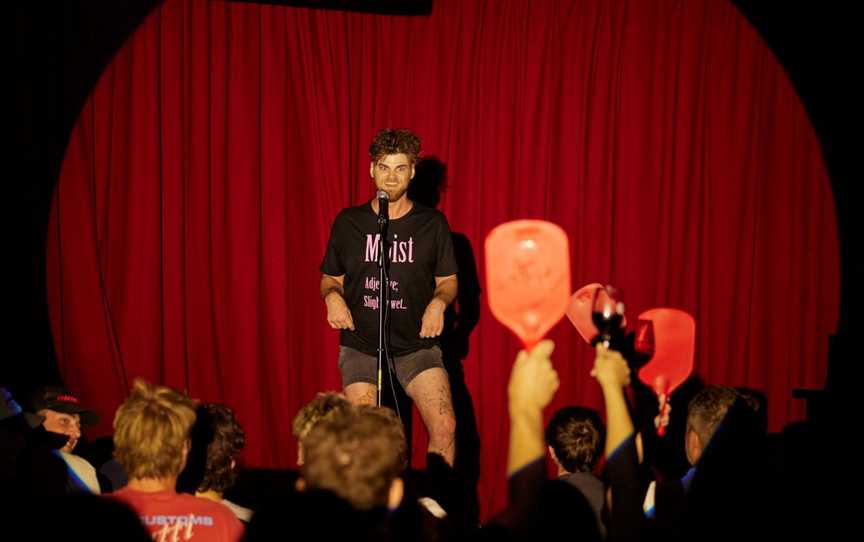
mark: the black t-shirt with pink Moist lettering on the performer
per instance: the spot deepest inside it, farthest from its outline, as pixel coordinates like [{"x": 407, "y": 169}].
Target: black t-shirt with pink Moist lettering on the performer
[{"x": 419, "y": 249}]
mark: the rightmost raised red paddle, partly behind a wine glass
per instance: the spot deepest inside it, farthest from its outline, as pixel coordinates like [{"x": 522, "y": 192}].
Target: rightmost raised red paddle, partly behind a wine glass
[{"x": 668, "y": 336}]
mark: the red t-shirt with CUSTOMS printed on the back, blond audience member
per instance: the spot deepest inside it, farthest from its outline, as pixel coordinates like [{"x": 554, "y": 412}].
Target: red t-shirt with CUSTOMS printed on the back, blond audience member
[{"x": 174, "y": 517}]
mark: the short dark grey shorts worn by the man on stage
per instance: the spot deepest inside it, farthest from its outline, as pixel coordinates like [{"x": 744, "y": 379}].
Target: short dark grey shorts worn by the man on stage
[{"x": 359, "y": 367}]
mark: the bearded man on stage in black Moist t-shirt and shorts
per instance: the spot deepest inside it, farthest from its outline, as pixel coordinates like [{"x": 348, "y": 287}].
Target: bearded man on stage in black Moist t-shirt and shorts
[{"x": 422, "y": 276}]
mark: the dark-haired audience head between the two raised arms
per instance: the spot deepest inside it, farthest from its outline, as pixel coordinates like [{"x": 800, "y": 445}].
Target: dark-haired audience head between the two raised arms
[{"x": 574, "y": 436}]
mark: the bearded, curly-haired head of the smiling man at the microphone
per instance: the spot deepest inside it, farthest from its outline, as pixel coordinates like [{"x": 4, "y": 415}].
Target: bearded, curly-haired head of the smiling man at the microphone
[{"x": 393, "y": 155}]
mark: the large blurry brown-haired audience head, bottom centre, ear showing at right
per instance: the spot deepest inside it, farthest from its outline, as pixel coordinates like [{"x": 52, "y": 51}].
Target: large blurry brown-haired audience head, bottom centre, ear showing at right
[{"x": 358, "y": 454}]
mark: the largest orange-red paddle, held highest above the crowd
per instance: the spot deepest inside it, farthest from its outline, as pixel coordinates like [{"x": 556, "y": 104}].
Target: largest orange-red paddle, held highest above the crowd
[{"x": 528, "y": 273}]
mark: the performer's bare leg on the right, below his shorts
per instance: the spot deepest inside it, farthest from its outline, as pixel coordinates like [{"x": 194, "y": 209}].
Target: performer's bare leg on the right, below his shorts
[{"x": 430, "y": 391}]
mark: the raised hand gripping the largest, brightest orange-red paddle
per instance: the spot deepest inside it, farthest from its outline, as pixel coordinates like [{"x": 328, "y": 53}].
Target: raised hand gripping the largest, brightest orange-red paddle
[{"x": 533, "y": 381}]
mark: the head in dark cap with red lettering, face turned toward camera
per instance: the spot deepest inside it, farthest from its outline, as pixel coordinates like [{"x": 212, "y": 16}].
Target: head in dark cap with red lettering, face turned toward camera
[{"x": 62, "y": 413}]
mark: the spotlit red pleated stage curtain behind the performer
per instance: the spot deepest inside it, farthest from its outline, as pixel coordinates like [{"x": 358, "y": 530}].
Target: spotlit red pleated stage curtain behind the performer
[{"x": 198, "y": 188}]
